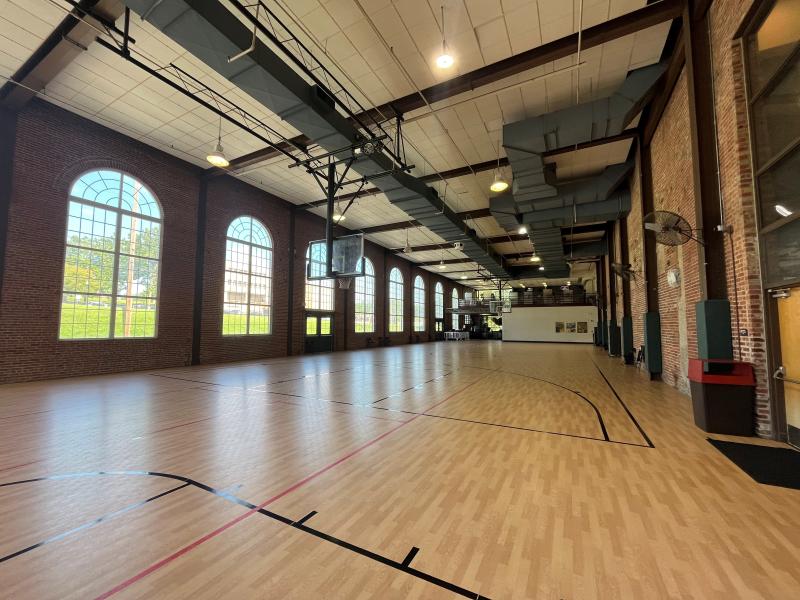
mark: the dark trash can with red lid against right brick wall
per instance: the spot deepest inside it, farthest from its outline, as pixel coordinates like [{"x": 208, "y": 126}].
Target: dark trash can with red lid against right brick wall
[{"x": 723, "y": 395}]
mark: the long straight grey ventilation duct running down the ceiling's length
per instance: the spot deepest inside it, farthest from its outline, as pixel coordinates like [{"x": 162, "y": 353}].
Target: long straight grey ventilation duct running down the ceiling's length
[{"x": 212, "y": 33}]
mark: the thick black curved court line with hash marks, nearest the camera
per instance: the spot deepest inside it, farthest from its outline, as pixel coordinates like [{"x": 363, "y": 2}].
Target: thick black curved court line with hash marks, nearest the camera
[{"x": 400, "y": 566}]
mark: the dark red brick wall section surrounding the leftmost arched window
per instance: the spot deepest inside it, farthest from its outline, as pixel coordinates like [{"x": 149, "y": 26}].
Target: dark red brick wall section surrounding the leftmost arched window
[{"x": 53, "y": 148}]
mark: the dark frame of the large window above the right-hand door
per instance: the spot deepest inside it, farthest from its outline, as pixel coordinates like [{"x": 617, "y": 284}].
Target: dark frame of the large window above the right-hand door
[{"x": 764, "y": 166}]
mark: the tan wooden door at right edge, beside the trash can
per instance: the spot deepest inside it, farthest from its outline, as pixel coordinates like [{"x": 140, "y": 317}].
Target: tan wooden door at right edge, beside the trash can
[{"x": 788, "y": 372}]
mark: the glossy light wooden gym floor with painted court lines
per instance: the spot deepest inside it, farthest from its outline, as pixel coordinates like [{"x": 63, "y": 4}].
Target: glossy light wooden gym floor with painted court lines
[{"x": 458, "y": 469}]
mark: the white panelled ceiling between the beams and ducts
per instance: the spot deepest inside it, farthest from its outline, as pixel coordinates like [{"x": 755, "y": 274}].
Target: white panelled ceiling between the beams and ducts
[{"x": 461, "y": 130}]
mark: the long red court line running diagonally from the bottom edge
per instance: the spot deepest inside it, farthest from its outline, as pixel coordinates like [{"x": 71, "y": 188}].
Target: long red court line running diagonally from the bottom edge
[{"x": 189, "y": 547}]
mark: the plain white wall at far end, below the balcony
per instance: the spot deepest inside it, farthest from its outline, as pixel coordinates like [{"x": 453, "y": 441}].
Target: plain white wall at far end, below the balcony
[{"x": 538, "y": 323}]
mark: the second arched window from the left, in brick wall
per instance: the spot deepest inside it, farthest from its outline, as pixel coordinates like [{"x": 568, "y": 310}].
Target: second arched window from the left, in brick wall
[{"x": 248, "y": 279}]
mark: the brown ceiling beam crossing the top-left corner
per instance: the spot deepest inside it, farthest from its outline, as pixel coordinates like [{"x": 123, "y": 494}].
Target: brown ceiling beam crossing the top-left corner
[{"x": 71, "y": 37}]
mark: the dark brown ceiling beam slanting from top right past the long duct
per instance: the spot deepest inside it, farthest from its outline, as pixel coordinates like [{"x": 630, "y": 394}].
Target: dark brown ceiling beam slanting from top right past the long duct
[{"x": 627, "y": 24}]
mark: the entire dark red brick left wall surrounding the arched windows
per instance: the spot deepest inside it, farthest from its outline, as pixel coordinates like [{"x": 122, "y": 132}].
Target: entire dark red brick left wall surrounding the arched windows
[{"x": 52, "y": 148}]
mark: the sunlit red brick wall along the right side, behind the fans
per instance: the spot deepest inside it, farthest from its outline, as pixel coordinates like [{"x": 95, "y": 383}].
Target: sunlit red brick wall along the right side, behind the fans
[{"x": 673, "y": 190}]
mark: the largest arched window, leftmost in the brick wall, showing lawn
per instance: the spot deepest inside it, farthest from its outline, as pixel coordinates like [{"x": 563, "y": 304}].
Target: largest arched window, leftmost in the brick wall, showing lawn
[{"x": 112, "y": 259}]
